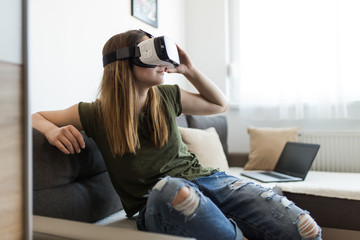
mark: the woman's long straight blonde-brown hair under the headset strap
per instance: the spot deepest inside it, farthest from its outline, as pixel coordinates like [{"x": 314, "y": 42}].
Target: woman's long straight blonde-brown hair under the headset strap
[{"x": 119, "y": 105}]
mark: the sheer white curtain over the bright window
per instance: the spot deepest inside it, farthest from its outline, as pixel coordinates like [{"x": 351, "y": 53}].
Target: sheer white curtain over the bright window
[{"x": 295, "y": 59}]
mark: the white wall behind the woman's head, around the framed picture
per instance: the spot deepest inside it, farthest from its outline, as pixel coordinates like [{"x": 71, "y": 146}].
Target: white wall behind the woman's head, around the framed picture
[{"x": 66, "y": 39}]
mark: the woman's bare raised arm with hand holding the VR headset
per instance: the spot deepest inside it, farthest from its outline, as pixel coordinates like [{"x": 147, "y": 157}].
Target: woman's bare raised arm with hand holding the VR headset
[{"x": 209, "y": 100}]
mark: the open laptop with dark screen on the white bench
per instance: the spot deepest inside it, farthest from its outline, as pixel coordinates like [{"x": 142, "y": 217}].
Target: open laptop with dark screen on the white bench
[{"x": 293, "y": 165}]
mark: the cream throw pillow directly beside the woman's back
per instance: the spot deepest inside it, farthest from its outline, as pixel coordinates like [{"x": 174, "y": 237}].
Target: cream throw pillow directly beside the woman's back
[{"x": 206, "y": 145}]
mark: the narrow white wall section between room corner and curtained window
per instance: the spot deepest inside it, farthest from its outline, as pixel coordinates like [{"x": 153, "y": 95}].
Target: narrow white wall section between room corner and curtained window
[{"x": 206, "y": 38}]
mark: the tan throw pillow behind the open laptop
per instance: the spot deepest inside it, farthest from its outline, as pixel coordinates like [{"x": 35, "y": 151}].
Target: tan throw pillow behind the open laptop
[{"x": 266, "y": 145}]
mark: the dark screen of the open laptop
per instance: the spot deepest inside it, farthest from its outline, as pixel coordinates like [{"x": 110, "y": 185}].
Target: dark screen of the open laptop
[{"x": 296, "y": 159}]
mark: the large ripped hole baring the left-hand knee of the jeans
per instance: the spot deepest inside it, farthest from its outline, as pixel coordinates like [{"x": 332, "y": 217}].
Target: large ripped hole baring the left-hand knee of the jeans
[{"x": 186, "y": 201}]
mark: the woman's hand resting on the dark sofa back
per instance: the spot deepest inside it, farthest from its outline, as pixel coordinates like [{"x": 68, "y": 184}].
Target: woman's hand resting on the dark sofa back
[{"x": 67, "y": 139}]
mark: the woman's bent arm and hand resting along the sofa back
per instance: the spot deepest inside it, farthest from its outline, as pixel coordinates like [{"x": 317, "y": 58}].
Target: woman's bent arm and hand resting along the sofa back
[{"x": 61, "y": 128}]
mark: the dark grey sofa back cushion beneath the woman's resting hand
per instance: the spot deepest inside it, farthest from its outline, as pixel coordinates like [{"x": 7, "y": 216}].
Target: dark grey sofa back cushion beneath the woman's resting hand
[{"x": 74, "y": 187}]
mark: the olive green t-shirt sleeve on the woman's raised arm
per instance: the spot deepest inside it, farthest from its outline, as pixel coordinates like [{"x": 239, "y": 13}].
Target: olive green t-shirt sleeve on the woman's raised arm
[{"x": 172, "y": 96}]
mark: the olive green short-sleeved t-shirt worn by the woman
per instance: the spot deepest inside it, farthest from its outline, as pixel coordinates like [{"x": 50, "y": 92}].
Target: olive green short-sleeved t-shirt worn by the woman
[{"x": 133, "y": 175}]
